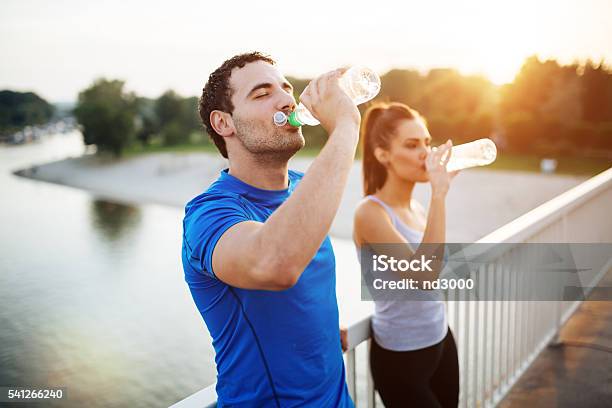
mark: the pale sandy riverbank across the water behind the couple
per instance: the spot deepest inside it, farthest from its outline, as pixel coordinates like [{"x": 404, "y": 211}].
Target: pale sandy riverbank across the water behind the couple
[{"x": 479, "y": 201}]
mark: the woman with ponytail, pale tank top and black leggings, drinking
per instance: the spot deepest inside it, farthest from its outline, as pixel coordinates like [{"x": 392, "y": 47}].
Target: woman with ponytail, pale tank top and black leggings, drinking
[{"x": 413, "y": 356}]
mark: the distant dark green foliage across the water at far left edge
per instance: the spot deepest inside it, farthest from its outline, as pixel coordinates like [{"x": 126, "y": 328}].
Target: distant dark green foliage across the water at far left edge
[{"x": 19, "y": 109}]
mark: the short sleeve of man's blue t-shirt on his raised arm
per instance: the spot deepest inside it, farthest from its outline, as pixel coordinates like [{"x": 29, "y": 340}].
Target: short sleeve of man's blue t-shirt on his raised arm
[{"x": 206, "y": 220}]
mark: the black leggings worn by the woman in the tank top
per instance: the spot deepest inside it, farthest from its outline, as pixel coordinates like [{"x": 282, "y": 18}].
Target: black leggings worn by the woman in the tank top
[{"x": 426, "y": 377}]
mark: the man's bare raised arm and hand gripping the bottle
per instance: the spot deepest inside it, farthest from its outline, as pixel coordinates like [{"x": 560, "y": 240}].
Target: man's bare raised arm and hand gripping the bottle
[{"x": 272, "y": 255}]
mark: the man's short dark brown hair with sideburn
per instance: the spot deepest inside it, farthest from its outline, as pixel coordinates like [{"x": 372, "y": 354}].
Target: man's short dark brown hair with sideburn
[{"x": 217, "y": 93}]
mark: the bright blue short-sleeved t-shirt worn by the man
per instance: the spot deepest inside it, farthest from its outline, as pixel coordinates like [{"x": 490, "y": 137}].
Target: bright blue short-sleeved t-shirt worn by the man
[{"x": 273, "y": 348}]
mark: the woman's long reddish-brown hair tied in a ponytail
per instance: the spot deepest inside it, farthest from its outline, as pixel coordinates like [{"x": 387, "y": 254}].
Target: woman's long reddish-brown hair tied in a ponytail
[{"x": 378, "y": 128}]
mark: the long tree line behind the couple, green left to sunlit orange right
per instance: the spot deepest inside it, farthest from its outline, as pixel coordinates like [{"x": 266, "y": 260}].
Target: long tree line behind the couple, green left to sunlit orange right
[{"x": 548, "y": 109}]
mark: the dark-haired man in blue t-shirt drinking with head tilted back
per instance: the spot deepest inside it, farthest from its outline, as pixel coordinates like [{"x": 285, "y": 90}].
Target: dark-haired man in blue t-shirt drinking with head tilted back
[{"x": 256, "y": 254}]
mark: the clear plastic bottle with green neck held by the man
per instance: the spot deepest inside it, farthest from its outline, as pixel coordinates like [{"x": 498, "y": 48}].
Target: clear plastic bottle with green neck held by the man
[{"x": 360, "y": 84}]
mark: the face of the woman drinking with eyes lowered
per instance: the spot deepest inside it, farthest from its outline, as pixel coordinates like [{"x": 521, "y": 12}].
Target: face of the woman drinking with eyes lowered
[{"x": 408, "y": 150}]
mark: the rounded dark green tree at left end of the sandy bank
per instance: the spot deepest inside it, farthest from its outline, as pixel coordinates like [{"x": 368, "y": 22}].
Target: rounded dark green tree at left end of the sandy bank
[{"x": 107, "y": 114}]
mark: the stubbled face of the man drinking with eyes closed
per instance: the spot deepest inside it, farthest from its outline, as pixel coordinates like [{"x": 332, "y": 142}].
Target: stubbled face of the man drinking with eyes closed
[{"x": 260, "y": 90}]
